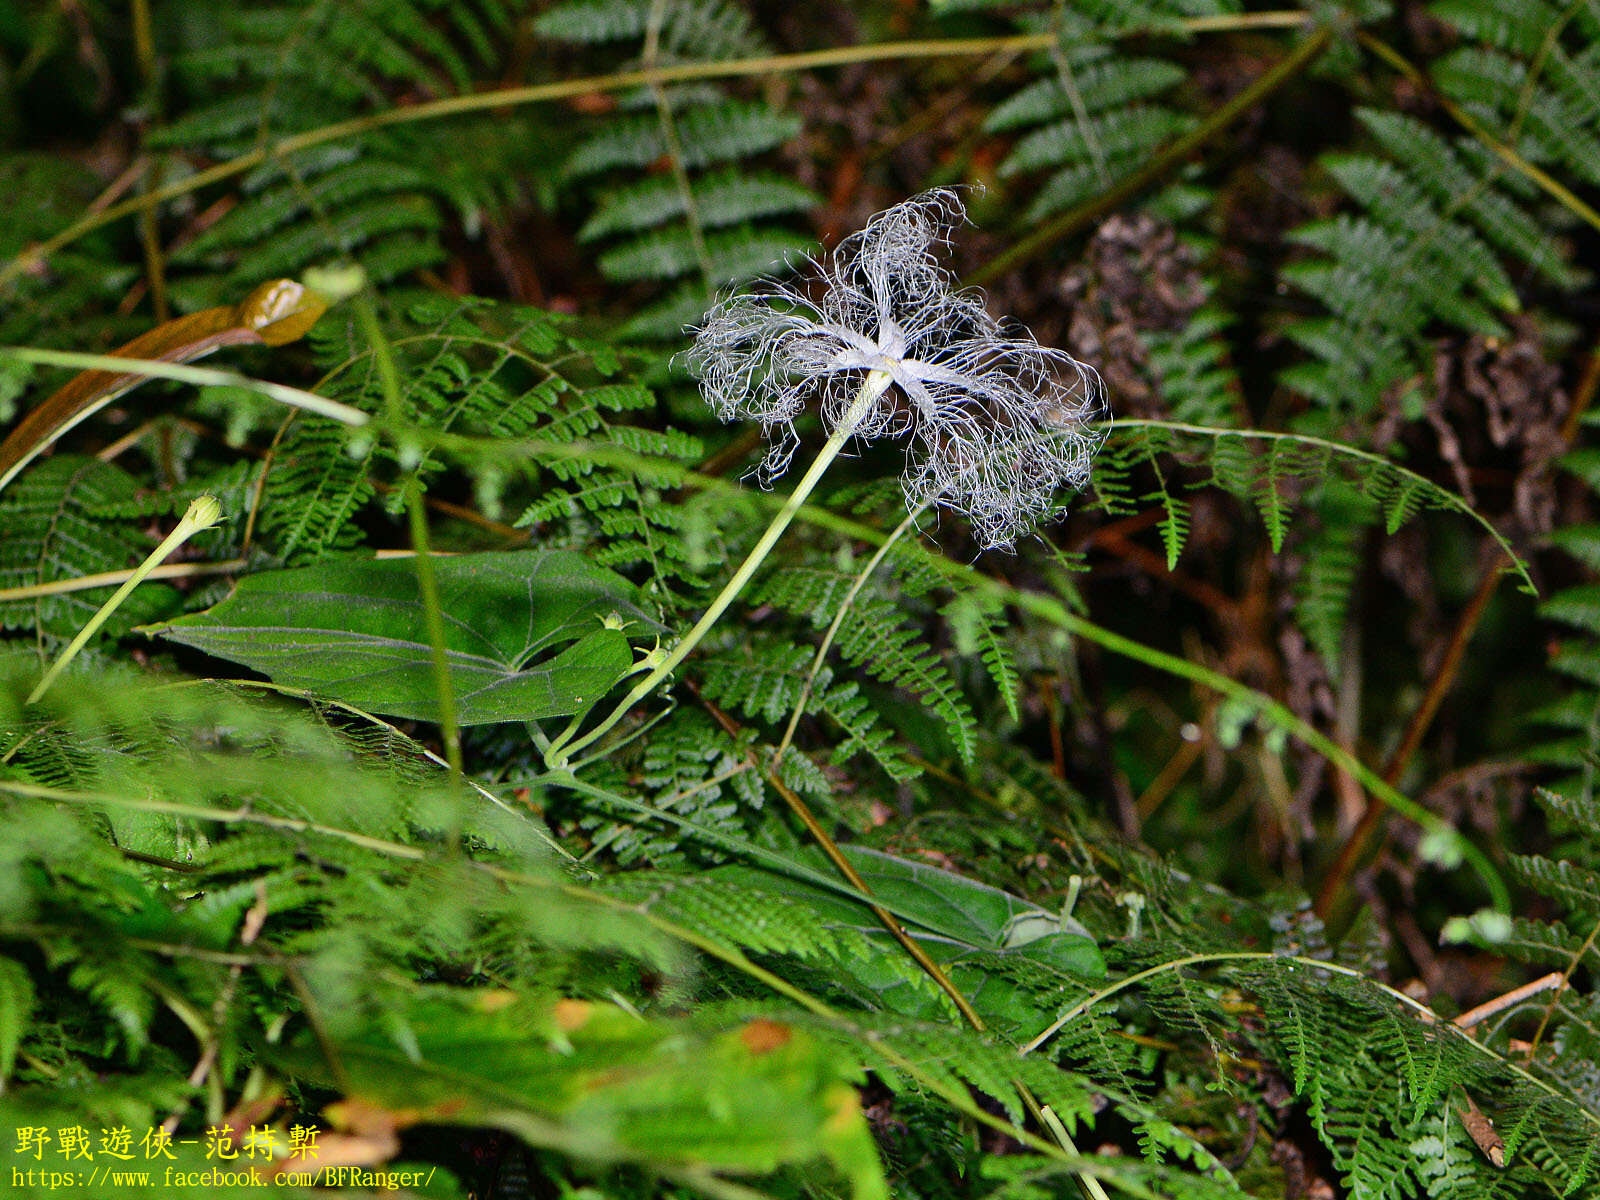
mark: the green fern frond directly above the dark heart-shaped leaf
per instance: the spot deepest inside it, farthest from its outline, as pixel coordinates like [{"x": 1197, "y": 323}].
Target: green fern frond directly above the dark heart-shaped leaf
[{"x": 518, "y": 388}]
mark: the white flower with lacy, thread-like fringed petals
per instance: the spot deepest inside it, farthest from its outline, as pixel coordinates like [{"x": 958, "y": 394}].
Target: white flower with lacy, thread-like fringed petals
[{"x": 998, "y": 423}]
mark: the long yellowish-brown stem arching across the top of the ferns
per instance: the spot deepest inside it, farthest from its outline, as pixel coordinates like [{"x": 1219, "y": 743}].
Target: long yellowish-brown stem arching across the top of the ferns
[{"x": 503, "y": 98}]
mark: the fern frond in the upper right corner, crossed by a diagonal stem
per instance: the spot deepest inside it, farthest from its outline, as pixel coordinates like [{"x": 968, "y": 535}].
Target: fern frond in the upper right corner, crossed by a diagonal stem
[{"x": 1444, "y": 228}]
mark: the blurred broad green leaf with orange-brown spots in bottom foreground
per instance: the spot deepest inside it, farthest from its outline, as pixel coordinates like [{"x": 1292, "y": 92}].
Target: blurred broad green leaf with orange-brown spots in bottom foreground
[{"x": 609, "y": 1086}]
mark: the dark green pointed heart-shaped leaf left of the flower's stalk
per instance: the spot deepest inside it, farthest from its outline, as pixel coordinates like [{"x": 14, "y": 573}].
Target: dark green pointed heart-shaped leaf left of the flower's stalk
[{"x": 529, "y": 634}]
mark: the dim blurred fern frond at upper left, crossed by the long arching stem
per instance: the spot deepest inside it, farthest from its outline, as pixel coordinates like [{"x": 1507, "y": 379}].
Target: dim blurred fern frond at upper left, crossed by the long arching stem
[{"x": 271, "y": 73}]
